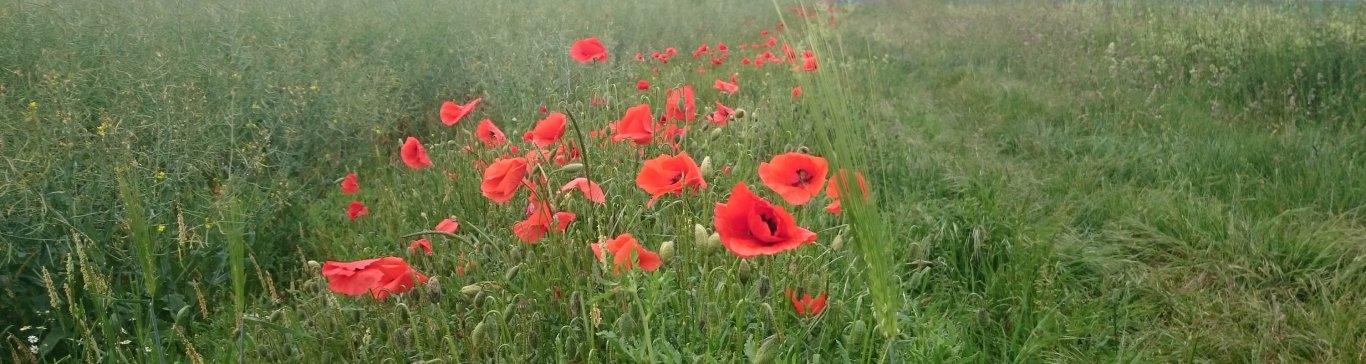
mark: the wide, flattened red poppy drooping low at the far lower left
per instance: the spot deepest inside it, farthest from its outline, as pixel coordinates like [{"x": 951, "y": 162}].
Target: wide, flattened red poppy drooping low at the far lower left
[{"x": 379, "y": 277}]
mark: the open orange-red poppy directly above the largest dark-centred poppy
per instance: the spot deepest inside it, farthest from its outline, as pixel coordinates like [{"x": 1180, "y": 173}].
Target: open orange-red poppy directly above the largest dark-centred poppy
[{"x": 797, "y": 177}]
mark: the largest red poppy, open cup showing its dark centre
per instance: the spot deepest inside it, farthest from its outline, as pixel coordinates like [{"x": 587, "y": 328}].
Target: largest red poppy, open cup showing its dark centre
[{"x": 751, "y": 226}]
